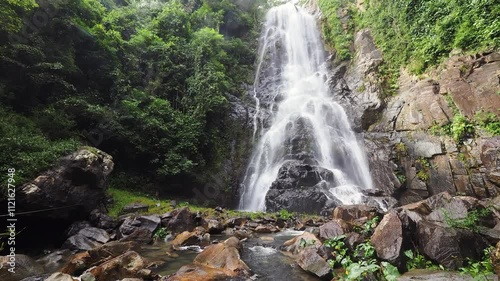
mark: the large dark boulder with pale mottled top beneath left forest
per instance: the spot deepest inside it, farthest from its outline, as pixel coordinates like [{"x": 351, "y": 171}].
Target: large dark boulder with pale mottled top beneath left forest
[{"x": 79, "y": 181}]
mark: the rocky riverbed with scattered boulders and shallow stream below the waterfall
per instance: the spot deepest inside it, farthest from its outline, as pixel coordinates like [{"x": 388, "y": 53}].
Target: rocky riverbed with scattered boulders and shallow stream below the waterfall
[{"x": 216, "y": 245}]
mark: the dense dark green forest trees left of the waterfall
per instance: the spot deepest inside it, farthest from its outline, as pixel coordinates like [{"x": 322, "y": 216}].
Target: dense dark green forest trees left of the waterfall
[{"x": 147, "y": 82}]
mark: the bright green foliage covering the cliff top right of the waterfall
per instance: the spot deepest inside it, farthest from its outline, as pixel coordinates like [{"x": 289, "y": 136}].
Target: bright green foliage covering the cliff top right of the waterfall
[{"x": 415, "y": 34}]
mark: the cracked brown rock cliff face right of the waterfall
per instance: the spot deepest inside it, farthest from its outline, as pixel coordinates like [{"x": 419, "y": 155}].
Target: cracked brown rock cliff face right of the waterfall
[{"x": 406, "y": 160}]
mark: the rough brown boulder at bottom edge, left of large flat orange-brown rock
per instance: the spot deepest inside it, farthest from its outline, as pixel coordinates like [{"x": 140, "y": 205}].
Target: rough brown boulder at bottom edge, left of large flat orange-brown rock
[{"x": 127, "y": 265}]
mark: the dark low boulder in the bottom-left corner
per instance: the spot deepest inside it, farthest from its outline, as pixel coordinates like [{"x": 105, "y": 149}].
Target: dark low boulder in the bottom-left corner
[{"x": 24, "y": 267}]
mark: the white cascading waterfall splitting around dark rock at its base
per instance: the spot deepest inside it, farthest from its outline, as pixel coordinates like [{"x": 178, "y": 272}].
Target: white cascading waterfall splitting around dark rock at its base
[{"x": 303, "y": 122}]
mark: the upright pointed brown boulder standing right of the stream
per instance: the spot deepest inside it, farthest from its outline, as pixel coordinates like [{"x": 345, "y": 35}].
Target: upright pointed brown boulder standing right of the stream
[{"x": 387, "y": 239}]
